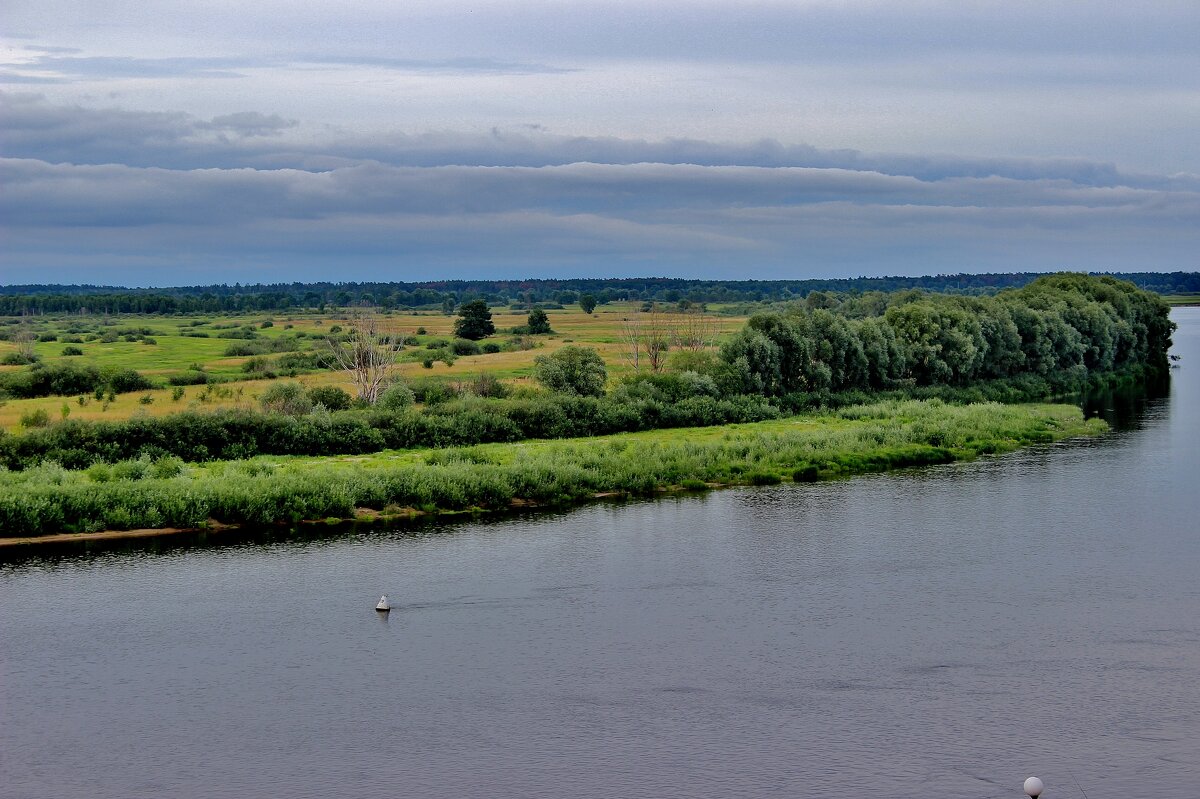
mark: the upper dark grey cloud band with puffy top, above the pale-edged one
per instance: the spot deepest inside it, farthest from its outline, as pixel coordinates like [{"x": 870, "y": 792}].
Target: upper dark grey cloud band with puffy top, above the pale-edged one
[{"x": 40, "y": 130}]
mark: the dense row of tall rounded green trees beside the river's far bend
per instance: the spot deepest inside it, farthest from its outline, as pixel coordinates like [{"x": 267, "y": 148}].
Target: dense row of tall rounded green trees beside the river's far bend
[{"x": 1060, "y": 329}]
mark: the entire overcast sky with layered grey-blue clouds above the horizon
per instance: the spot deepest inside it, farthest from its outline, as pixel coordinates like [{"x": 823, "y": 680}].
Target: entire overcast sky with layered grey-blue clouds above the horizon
[{"x": 194, "y": 142}]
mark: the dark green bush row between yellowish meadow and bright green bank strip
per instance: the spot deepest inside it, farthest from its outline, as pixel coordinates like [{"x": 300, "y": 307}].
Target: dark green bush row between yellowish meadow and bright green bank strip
[{"x": 457, "y": 423}]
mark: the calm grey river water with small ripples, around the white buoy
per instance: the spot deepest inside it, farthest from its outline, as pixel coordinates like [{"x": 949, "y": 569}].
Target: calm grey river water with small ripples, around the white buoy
[{"x": 943, "y": 633}]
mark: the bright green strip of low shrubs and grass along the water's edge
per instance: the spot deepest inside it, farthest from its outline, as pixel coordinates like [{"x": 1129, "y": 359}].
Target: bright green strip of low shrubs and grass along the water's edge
[{"x": 166, "y": 494}]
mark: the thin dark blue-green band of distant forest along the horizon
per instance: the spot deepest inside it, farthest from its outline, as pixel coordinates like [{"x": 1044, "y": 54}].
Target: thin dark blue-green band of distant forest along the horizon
[{"x": 17, "y": 301}]
